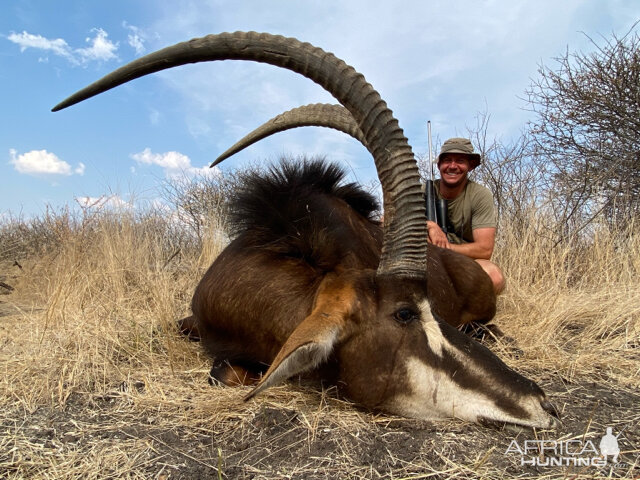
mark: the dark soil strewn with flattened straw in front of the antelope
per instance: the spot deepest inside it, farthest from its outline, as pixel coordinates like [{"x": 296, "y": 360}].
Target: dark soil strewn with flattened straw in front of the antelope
[{"x": 272, "y": 441}]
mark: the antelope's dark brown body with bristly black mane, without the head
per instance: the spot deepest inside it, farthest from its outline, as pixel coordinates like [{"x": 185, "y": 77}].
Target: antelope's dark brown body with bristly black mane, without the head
[{"x": 266, "y": 280}]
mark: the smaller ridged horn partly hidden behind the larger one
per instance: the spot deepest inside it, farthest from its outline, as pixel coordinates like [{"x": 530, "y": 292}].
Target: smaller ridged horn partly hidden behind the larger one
[{"x": 313, "y": 115}]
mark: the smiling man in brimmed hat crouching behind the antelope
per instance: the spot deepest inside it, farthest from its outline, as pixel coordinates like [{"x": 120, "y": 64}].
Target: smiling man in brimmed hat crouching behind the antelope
[{"x": 472, "y": 219}]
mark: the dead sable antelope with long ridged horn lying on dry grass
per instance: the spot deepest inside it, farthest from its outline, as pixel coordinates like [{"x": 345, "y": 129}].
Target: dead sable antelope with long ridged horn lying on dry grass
[{"x": 296, "y": 293}]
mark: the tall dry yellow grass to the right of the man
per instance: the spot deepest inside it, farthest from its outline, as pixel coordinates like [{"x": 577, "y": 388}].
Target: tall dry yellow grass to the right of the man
[{"x": 574, "y": 307}]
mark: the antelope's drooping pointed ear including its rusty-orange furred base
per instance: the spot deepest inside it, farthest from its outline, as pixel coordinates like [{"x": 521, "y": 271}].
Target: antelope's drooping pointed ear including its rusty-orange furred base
[{"x": 313, "y": 340}]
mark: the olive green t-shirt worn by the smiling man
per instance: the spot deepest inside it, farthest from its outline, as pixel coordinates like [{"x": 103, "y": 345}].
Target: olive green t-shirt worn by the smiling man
[{"x": 472, "y": 209}]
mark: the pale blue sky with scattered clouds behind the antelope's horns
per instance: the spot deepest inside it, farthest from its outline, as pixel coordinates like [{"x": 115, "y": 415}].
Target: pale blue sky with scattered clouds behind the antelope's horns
[{"x": 443, "y": 61}]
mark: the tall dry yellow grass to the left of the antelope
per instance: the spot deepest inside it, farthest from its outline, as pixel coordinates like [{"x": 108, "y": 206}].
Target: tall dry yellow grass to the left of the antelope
[{"x": 99, "y": 304}]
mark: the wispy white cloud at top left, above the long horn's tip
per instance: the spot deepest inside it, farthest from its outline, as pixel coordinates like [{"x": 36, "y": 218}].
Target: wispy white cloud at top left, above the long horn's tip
[{"x": 100, "y": 47}]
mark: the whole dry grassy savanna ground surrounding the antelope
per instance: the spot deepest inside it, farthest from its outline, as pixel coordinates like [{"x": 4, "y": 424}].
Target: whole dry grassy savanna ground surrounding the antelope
[{"x": 96, "y": 383}]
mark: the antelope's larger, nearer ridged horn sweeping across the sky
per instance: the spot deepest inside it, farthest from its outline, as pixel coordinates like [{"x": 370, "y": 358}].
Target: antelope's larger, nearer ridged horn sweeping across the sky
[{"x": 404, "y": 249}]
